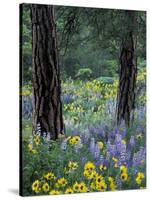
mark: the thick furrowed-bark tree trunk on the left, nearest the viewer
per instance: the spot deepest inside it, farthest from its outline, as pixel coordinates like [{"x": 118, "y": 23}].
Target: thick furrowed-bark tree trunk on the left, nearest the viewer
[{"x": 47, "y": 114}]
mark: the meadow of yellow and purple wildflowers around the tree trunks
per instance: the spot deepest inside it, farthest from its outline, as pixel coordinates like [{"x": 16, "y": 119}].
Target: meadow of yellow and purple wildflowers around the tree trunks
[{"x": 95, "y": 154}]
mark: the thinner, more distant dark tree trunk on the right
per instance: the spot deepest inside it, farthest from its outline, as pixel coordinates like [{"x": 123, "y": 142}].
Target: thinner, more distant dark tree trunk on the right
[{"x": 128, "y": 71}]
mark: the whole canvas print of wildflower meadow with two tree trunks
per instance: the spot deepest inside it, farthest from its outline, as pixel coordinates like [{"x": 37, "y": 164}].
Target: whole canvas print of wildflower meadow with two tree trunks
[{"x": 83, "y": 100}]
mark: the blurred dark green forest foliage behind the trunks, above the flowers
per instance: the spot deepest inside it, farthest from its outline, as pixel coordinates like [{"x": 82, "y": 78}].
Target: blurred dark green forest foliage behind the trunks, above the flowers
[{"x": 87, "y": 38}]
